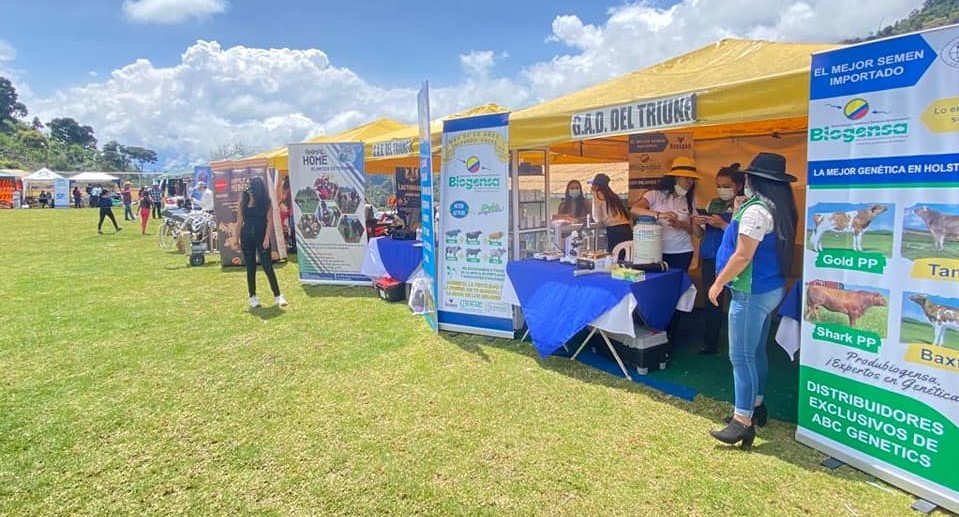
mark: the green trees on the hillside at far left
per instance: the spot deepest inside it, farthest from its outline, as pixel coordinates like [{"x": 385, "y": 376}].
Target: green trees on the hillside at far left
[{"x": 60, "y": 144}]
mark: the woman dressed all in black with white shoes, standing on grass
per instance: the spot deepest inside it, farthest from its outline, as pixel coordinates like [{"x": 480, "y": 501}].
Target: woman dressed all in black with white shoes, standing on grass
[{"x": 254, "y": 217}]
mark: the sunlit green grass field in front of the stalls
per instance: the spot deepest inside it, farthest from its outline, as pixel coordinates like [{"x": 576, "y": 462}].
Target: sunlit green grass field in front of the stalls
[{"x": 134, "y": 384}]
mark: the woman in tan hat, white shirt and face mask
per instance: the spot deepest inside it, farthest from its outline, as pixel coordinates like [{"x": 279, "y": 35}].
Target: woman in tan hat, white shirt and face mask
[{"x": 671, "y": 202}]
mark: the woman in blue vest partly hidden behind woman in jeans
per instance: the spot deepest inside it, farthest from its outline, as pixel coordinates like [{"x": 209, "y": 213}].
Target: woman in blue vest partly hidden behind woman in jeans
[{"x": 729, "y": 184}]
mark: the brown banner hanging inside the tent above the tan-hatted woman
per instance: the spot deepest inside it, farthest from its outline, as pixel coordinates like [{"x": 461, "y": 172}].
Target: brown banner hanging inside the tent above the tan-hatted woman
[{"x": 650, "y": 157}]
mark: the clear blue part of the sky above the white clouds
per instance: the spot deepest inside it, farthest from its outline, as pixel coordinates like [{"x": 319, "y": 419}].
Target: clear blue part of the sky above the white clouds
[{"x": 383, "y": 41}]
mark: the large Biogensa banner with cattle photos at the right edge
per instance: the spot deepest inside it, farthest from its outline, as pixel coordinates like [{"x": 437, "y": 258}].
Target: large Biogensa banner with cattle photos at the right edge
[{"x": 879, "y": 366}]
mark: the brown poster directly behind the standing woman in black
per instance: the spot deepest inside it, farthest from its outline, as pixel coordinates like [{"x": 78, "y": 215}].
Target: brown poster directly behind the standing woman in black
[{"x": 228, "y": 187}]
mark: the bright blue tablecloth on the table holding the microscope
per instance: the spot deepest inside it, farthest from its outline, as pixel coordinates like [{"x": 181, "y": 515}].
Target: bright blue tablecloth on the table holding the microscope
[{"x": 557, "y": 304}]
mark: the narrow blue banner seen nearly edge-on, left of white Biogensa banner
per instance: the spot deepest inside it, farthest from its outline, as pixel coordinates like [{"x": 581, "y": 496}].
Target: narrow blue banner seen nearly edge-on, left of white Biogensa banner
[{"x": 428, "y": 235}]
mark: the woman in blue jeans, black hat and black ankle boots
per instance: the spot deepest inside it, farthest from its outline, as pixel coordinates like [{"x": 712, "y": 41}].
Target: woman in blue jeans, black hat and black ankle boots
[{"x": 754, "y": 258}]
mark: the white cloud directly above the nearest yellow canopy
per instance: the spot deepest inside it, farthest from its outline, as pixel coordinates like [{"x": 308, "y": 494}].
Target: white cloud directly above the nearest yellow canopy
[{"x": 638, "y": 35}]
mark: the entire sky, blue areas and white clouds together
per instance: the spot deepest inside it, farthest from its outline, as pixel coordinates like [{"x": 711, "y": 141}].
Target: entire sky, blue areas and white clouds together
[{"x": 185, "y": 77}]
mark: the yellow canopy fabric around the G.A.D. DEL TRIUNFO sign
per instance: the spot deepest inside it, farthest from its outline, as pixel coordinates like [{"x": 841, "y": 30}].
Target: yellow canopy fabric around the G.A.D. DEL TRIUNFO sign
[{"x": 743, "y": 87}]
